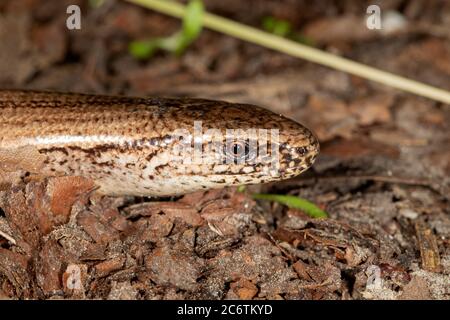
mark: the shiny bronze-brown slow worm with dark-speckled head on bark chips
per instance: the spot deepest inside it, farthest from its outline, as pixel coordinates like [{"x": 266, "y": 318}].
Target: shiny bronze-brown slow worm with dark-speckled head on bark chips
[{"x": 133, "y": 146}]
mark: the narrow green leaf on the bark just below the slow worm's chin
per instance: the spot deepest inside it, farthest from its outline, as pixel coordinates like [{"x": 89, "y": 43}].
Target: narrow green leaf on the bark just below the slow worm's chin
[{"x": 294, "y": 202}]
